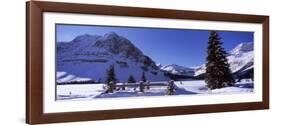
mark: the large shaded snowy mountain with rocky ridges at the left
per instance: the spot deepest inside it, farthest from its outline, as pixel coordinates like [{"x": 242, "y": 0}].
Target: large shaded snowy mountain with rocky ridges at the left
[{"x": 89, "y": 57}]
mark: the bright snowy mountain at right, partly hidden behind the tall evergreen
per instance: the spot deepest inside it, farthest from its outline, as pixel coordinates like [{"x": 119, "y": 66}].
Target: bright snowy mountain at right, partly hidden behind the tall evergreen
[{"x": 241, "y": 59}]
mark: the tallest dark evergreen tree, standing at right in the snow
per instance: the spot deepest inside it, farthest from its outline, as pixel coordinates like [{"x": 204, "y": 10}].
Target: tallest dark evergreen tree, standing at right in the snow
[{"x": 218, "y": 74}]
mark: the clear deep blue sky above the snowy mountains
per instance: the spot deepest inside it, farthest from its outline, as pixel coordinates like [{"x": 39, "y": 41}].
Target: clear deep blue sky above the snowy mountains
[{"x": 166, "y": 46}]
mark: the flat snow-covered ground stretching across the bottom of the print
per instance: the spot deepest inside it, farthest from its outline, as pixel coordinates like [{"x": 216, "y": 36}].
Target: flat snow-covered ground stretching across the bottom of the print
[{"x": 91, "y": 91}]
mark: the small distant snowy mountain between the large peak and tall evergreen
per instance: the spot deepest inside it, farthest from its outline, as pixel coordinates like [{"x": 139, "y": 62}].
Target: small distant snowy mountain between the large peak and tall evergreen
[{"x": 178, "y": 70}]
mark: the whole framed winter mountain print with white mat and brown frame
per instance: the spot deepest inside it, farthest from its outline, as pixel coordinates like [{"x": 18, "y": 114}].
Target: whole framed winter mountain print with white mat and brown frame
[{"x": 95, "y": 62}]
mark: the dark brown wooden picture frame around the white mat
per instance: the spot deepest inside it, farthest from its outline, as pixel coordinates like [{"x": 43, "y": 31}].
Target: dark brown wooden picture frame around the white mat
[{"x": 34, "y": 61}]
